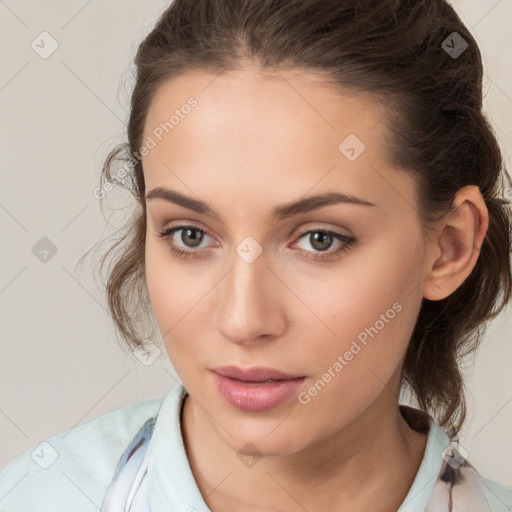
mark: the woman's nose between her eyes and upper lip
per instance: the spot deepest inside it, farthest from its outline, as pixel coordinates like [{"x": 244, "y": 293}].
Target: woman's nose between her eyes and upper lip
[{"x": 251, "y": 305}]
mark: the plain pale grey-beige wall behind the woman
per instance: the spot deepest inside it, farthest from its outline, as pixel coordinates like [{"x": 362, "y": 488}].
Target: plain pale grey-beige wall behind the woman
[{"x": 60, "y": 364}]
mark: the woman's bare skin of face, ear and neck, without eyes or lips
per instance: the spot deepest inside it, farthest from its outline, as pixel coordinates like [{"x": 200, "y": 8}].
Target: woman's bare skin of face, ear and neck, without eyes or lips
[{"x": 257, "y": 140}]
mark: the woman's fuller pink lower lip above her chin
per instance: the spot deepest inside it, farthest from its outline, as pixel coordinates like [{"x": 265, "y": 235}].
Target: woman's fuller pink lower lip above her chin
[{"x": 256, "y": 397}]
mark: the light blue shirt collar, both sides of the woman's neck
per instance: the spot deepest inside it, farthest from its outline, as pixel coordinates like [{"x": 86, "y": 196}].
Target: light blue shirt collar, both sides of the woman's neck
[{"x": 156, "y": 456}]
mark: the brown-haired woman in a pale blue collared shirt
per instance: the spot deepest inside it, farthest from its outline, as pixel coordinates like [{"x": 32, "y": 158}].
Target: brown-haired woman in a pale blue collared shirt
[{"x": 319, "y": 227}]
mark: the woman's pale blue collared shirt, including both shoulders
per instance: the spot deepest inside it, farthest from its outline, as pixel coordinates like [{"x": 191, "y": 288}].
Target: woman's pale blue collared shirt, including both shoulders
[{"x": 135, "y": 455}]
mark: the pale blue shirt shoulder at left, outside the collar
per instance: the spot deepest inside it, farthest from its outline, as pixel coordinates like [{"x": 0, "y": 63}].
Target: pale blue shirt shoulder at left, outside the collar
[{"x": 75, "y": 466}]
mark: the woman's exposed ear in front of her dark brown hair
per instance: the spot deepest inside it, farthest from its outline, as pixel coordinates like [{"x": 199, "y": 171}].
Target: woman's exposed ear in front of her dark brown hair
[{"x": 457, "y": 248}]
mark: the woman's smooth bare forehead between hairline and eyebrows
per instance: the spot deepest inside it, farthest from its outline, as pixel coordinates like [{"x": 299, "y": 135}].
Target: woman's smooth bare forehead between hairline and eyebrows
[{"x": 276, "y": 134}]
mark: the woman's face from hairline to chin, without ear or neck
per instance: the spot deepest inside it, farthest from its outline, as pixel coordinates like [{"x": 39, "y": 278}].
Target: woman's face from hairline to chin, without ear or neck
[{"x": 327, "y": 292}]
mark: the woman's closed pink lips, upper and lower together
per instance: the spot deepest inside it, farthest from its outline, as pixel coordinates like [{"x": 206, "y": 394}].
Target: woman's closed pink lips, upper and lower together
[{"x": 248, "y": 389}]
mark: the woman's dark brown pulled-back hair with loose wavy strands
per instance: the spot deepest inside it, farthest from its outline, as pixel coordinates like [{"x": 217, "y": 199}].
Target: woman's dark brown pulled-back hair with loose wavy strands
[{"x": 392, "y": 50}]
